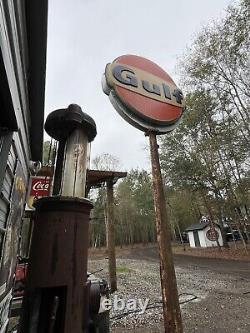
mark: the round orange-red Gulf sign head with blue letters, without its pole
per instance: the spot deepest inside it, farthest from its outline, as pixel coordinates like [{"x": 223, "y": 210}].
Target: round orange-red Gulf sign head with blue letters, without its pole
[{"x": 143, "y": 94}]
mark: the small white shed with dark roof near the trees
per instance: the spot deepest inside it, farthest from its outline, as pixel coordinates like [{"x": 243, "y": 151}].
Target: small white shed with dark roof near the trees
[{"x": 204, "y": 235}]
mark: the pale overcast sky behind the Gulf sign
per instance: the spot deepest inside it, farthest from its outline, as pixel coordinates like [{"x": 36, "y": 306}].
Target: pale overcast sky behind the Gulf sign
[{"x": 85, "y": 35}]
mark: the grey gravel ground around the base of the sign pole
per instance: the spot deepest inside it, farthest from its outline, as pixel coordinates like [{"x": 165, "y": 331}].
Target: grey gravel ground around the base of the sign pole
[{"x": 213, "y": 302}]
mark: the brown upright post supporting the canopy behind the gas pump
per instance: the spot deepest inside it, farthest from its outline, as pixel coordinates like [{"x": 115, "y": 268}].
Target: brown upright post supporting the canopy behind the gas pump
[{"x": 111, "y": 236}]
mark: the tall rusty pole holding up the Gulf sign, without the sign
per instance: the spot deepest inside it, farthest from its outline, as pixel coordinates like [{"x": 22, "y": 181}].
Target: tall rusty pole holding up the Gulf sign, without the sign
[{"x": 171, "y": 306}]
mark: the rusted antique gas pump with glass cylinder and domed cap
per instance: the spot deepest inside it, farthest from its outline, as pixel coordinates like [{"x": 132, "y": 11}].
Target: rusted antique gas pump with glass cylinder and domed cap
[{"x": 56, "y": 297}]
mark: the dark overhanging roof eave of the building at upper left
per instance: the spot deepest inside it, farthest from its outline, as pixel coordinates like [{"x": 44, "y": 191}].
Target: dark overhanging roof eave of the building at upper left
[{"x": 36, "y": 18}]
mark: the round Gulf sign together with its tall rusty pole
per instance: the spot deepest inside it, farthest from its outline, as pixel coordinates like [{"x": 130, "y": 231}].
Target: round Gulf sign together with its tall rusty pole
[{"x": 147, "y": 98}]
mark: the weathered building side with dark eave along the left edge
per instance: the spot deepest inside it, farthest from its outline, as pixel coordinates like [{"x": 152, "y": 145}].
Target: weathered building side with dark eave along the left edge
[{"x": 23, "y": 40}]
